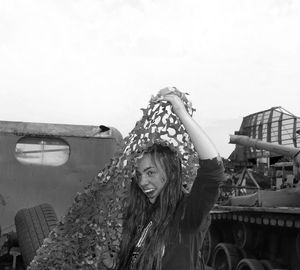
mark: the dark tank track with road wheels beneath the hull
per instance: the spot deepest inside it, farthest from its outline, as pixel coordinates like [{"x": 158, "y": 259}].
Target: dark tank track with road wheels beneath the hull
[{"x": 244, "y": 237}]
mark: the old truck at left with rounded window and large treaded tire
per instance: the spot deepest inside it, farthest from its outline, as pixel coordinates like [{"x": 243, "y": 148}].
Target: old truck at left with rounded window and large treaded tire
[{"x": 42, "y": 167}]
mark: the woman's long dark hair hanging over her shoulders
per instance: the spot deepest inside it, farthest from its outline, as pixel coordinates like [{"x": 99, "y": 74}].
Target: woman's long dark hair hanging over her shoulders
[{"x": 161, "y": 213}]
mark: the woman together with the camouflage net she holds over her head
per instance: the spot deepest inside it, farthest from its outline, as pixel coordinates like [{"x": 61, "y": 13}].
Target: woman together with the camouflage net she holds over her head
[{"x": 137, "y": 213}]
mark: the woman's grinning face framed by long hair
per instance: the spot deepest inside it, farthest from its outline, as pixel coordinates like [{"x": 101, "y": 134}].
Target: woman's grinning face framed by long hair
[{"x": 150, "y": 179}]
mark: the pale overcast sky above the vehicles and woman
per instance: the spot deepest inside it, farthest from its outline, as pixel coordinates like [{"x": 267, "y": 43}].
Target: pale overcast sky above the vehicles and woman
[{"x": 99, "y": 61}]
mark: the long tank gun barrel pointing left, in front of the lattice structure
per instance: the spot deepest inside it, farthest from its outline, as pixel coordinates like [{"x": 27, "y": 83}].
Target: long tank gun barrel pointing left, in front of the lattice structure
[{"x": 287, "y": 151}]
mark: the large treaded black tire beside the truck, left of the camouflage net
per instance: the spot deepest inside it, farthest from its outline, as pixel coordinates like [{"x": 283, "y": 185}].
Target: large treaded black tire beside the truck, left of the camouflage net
[{"x": 33, "y": 226}]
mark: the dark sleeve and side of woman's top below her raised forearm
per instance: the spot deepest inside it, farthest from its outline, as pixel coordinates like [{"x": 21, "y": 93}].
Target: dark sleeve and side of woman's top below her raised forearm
[{"x": 193, "y": 214}]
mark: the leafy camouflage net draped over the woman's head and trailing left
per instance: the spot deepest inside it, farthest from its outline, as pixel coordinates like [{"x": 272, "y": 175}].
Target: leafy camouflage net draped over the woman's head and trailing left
[{"x": 92, "y": 227}]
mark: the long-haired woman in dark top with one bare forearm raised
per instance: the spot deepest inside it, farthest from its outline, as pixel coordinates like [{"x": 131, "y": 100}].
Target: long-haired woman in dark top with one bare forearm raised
[{"x": 162, "y": 223}]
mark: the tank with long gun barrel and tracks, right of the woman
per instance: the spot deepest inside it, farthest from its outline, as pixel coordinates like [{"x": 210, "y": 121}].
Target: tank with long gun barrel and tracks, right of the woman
[{"x": 255, "y": 227}]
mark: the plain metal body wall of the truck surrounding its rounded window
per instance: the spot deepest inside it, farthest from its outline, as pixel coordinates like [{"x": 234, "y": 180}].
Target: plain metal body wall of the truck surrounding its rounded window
[{"x": 27, "y": 185}]
